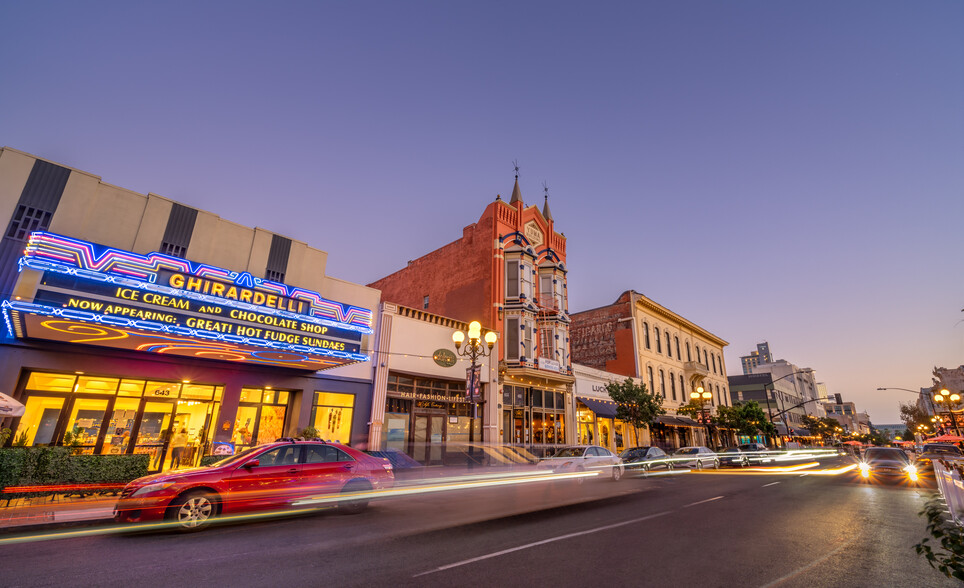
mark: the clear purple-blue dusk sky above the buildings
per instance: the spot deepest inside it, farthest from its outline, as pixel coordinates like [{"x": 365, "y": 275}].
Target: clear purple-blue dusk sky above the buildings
[{"x": 790, "y": 172}]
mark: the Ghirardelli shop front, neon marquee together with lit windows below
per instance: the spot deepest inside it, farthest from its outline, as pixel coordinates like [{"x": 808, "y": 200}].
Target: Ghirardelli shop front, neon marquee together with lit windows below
[{"x": 119, "y": 353}]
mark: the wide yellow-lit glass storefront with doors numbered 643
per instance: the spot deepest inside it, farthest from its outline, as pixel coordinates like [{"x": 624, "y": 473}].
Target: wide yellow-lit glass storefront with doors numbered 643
[{"x": 170, "y": 421}]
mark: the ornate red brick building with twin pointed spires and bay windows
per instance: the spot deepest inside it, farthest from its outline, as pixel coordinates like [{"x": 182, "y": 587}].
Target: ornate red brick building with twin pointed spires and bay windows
[{"x": 508, "y": 271}]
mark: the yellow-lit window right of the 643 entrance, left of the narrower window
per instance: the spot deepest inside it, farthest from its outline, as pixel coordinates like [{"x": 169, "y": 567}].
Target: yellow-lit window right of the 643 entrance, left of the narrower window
[{"x": 260, "y": 418}]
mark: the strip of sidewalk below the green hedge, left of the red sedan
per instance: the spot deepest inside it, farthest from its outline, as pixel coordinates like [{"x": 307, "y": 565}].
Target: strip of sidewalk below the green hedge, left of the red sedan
[{"x": 24, "y": 514}]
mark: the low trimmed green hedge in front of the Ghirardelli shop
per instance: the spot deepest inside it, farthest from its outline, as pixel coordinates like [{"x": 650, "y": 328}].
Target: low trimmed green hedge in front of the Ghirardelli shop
[{"x": 54, "y": 466}]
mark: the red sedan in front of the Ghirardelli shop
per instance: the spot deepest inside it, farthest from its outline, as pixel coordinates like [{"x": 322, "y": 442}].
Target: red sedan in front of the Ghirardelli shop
[{"x": 265, "y": 477}]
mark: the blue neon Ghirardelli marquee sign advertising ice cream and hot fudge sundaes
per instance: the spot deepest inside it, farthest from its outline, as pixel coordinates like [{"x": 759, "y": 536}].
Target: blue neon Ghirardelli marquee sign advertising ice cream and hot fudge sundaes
[{"x": 96, "y": 295}]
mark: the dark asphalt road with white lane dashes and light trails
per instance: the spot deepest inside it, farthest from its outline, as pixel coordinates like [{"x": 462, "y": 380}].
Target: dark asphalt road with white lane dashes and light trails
[{"x": 727, "y": 528}]
